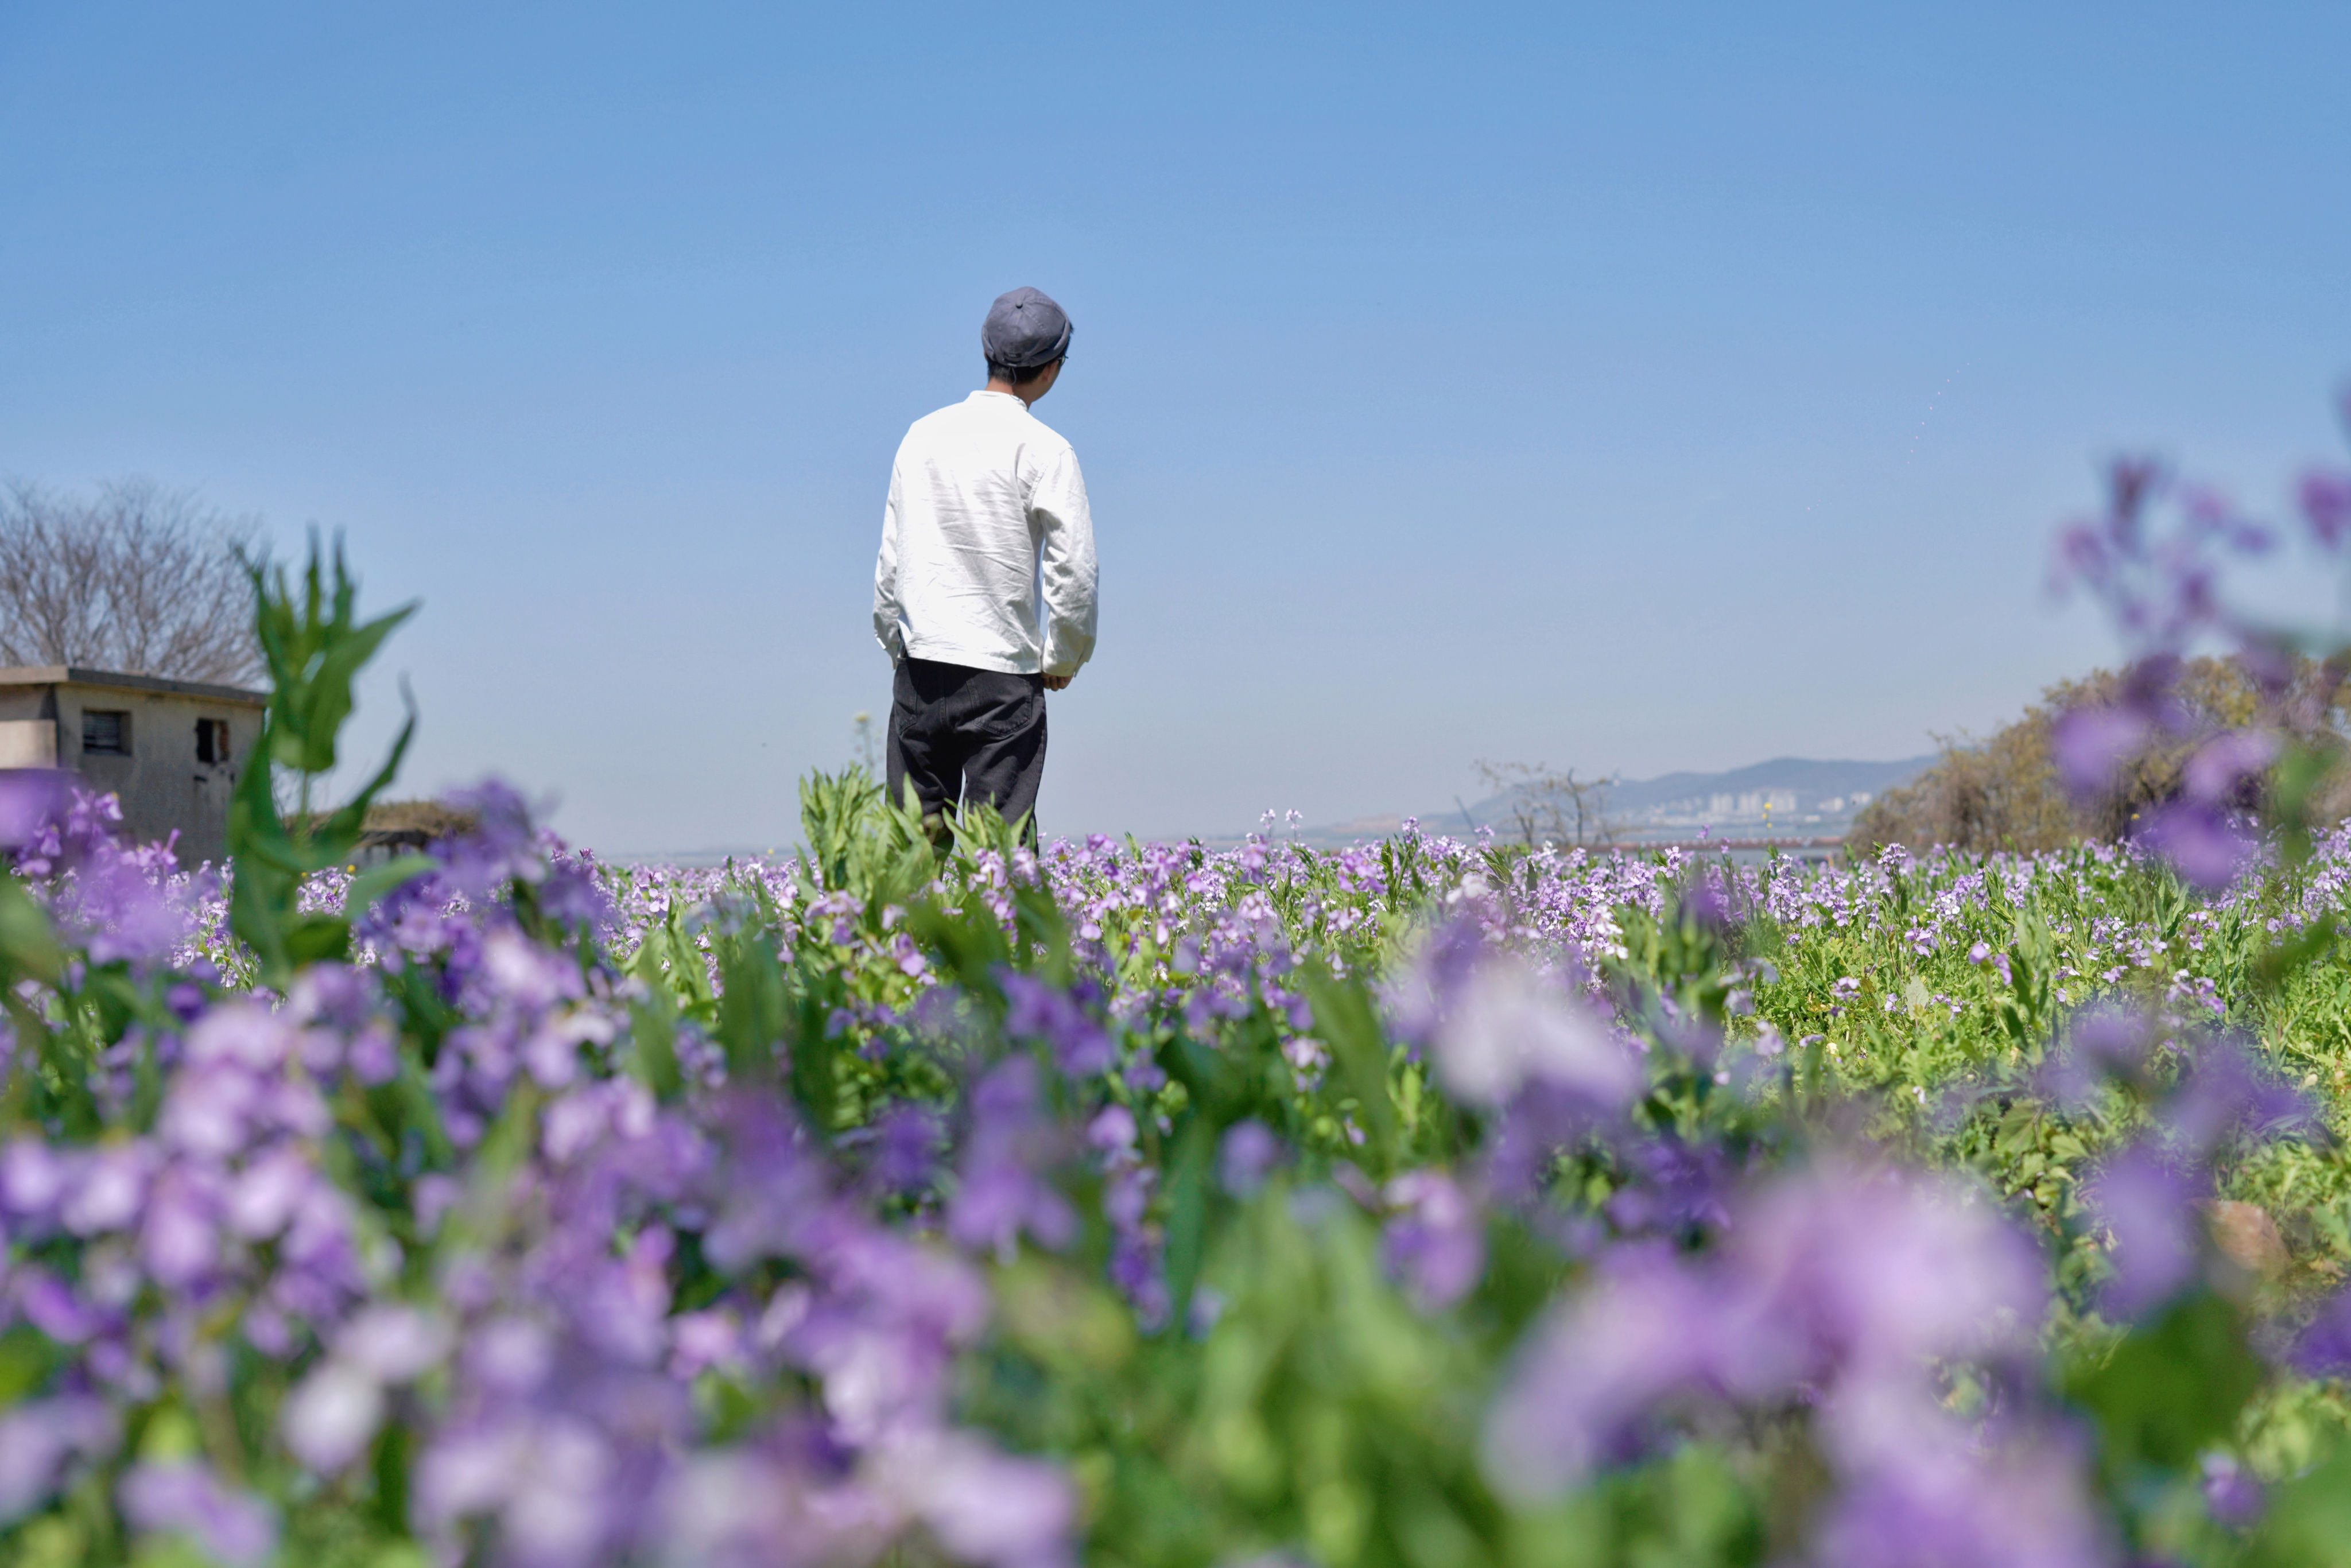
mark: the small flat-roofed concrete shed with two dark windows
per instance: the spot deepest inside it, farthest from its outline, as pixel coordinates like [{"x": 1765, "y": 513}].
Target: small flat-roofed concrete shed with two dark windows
[{"x": 168, "y": 749}]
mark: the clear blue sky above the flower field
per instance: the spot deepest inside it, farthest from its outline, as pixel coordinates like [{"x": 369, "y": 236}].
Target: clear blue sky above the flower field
[{"x": 1619, "y": 387}]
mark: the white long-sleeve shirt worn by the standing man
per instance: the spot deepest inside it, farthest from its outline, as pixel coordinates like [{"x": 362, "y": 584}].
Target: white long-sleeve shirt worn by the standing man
[{"x": 986, "y": 514}]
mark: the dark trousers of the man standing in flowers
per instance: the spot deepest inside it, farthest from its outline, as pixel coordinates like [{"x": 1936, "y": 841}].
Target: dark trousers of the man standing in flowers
[{"x": 972, "y": 737}]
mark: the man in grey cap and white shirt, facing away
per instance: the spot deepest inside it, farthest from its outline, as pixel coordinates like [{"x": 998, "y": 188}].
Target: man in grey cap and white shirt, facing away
[{"x": 984, "y": 596}]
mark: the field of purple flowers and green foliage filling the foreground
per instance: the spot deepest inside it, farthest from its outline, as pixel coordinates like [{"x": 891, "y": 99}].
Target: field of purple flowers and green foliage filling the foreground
[{"x": 1421, "y": 1205}]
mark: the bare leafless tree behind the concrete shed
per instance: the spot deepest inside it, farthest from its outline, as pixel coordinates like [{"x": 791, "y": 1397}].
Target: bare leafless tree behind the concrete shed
[{"x": 142, "y": 579}]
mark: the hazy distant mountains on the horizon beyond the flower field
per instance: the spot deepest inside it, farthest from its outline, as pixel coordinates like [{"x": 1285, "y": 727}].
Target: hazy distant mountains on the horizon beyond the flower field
[{"x": 1795, "y": 796}]
